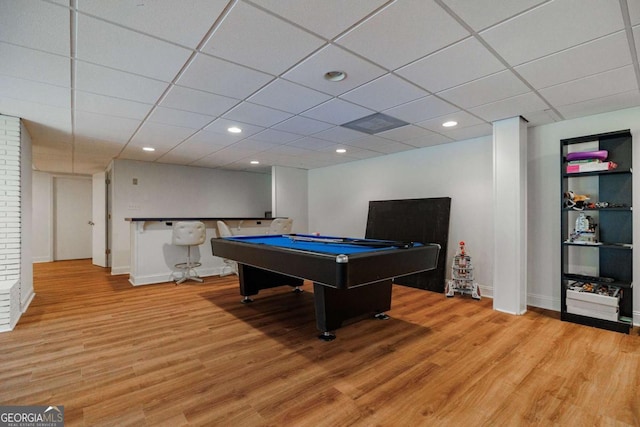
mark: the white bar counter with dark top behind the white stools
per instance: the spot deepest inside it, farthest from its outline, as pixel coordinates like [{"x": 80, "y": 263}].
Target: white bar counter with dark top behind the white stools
[{"x": 153, "y": 257}]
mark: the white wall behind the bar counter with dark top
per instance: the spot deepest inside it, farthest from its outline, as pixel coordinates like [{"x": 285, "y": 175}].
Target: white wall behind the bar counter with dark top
[{"x": 164, "y": 190}]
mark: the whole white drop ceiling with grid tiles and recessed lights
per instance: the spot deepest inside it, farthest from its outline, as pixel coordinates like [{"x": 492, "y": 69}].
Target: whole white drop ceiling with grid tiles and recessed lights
[{"x": 98, "y": 80}]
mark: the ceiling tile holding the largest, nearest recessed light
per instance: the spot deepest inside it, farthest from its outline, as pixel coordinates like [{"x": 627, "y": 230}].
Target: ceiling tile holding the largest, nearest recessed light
[{"x": 311, "y": 71}]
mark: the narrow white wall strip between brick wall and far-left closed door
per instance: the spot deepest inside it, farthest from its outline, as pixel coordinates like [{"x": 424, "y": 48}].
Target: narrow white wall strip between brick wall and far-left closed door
[{"x": 42, "y": 238}]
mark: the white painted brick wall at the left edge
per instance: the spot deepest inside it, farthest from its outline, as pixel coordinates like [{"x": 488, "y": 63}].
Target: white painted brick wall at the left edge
[{"x": 10, "y": 229}]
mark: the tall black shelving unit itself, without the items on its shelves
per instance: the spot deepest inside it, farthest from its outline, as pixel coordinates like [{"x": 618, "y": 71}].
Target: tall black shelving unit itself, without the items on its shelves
[{"x": 611, "y": 259}]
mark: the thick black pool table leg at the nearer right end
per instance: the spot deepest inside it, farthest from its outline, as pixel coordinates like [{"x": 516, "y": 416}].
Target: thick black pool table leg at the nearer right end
[{"x": 334, "y": 306}]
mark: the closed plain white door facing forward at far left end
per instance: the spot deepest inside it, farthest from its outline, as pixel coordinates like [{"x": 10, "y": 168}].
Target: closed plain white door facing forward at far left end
[{"x": 72, "y": 218}]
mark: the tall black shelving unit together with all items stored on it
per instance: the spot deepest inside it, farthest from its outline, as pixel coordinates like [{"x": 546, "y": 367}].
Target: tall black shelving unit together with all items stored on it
[{"x": 597, "y": 238}]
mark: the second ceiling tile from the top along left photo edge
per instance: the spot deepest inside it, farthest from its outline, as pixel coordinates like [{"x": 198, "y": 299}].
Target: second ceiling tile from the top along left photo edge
[{"x": 35, "y": 65}]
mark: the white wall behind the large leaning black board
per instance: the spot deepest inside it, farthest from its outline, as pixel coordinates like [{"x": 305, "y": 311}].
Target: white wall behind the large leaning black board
[{"x": 339, "y": 196}]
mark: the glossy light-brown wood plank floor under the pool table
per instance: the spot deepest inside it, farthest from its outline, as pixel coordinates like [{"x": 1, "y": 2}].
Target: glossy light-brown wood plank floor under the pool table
[{"x": 192, "y": 354}]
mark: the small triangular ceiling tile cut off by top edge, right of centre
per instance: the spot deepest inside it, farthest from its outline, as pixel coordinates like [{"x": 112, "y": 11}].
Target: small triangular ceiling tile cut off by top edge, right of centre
[{"x": 480, "y": 14}]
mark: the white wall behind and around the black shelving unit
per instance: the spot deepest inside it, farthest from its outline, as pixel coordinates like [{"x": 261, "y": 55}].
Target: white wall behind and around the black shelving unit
[{"x": 545, "y": 199}]
